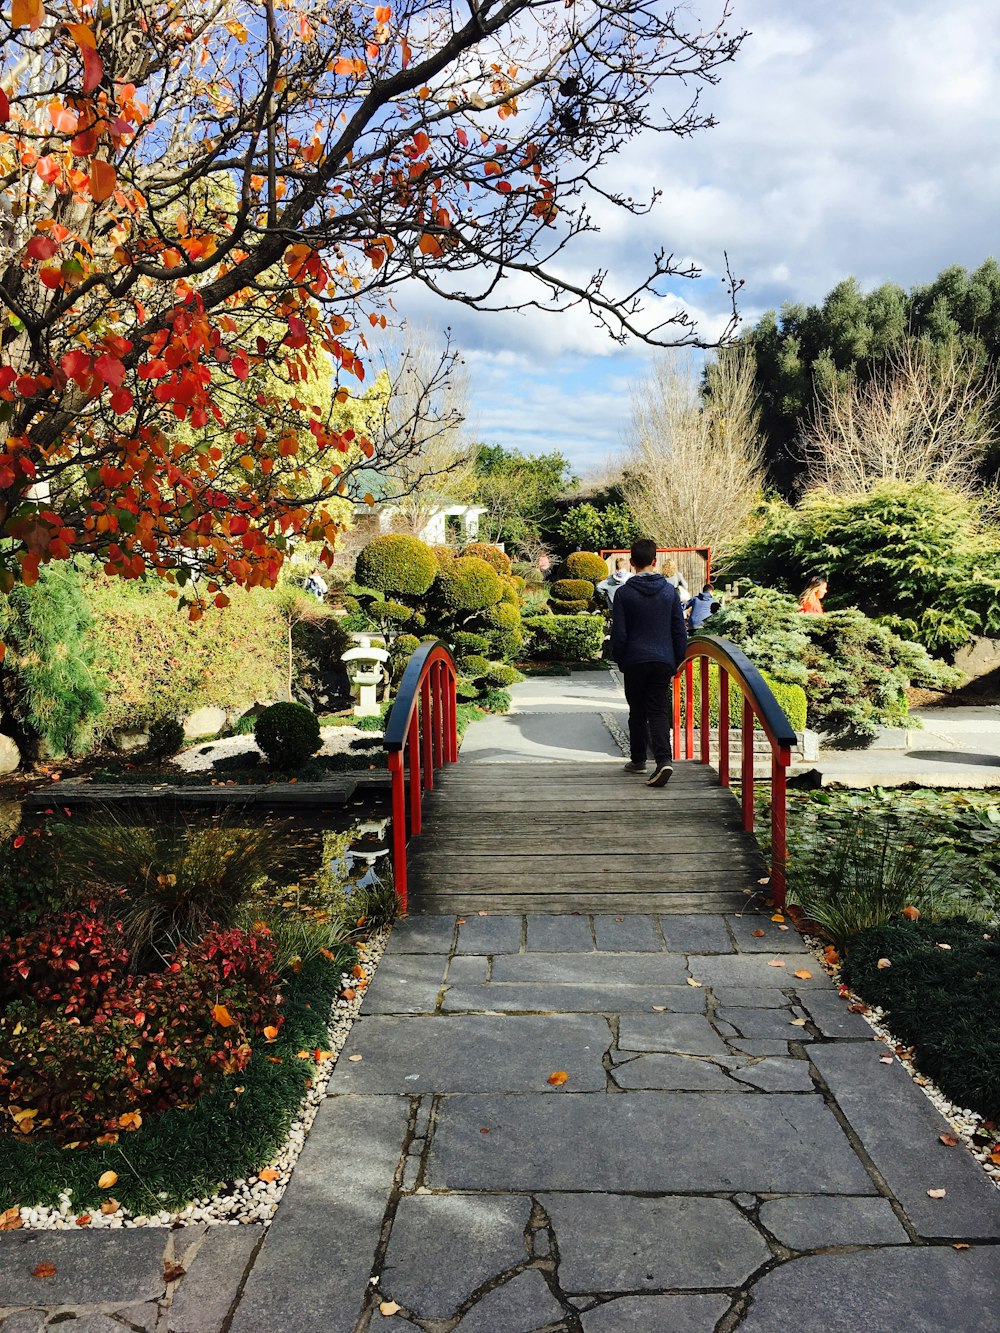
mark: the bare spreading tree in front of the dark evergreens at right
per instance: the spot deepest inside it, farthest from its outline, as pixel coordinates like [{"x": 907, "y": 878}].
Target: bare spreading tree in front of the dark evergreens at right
[{"x": 927, "y": 415}]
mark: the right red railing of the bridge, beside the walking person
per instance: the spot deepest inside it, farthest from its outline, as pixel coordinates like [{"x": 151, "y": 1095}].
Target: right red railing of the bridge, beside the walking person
[{"x": 759, "y": 707}]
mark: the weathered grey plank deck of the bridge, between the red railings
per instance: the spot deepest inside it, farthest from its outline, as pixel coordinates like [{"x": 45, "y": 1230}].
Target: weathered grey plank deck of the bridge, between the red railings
[{"x": 563, "y": 838}]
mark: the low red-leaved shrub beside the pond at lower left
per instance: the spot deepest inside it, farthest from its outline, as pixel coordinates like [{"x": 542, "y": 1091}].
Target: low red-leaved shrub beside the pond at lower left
[{"x": 78, "y": 1066}]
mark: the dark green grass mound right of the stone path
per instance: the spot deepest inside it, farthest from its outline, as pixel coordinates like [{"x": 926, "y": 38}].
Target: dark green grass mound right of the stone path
[{"x": 942, "y": 1002}]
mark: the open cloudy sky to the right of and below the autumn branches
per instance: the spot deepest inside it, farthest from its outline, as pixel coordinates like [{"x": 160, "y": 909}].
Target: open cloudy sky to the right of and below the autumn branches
[{"x": 858, "y": 138}]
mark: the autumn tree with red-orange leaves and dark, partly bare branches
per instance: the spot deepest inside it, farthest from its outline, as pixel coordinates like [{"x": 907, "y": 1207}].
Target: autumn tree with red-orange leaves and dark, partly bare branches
[{"x": 191, "y": 191}]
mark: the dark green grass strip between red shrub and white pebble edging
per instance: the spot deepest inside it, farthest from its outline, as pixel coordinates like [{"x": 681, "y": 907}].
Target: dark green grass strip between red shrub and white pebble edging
[{"x": 185, "y": 1155}]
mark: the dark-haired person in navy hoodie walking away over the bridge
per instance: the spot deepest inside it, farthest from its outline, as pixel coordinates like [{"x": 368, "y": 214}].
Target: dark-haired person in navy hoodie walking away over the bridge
[{"x": 649, "y": 641}]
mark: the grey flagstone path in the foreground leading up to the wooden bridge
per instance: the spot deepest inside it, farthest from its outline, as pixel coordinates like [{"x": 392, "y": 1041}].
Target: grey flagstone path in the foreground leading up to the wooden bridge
[{"x": 581, "y": 1123}]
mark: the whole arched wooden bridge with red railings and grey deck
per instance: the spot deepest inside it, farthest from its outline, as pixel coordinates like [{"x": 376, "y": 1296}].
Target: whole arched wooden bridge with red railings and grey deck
[{"x": 511, "y": 838}]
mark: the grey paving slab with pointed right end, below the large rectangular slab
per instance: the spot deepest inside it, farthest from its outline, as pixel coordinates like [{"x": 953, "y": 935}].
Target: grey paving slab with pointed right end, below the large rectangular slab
[{"x": 617, "y": 1243}]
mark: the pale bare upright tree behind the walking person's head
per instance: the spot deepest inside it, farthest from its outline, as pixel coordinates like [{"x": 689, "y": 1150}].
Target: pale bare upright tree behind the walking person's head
[{"x": 695, "y": 466}]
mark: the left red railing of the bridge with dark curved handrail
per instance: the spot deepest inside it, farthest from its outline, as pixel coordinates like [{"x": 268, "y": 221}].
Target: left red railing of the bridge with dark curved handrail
[{"x": 421, "y": 736}]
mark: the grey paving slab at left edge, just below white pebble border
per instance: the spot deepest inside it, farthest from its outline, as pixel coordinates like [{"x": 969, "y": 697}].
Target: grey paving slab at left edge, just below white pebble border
[{"x": 93, "y": 1268}]
